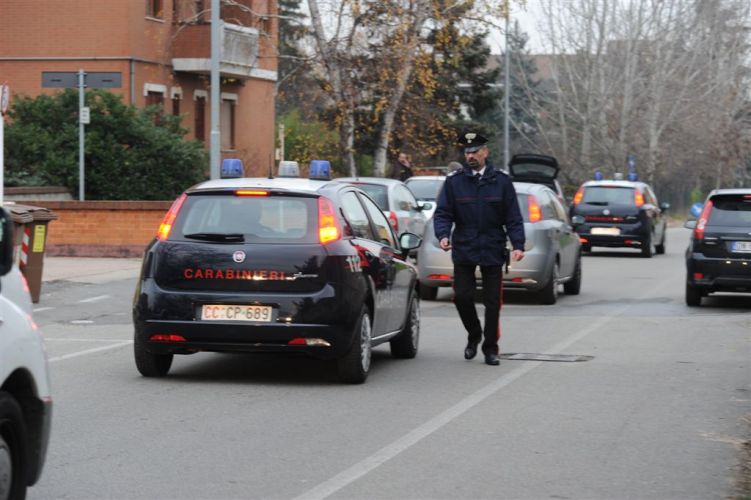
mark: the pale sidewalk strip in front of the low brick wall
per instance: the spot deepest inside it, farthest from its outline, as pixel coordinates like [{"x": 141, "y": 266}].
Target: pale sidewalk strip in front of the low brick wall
[{"x": 89, "y": 269}]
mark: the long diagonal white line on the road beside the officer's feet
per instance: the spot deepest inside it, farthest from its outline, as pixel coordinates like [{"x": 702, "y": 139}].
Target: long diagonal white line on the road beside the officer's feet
[{"x": 349, "y": 476}]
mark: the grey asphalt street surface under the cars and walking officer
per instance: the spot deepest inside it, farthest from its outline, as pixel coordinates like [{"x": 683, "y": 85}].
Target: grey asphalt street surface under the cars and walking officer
[{"x": 658, "y": 411}]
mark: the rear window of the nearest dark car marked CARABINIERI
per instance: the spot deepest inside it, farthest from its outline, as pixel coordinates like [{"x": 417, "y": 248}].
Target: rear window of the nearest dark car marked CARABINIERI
[{"x": 269, "y": 219}]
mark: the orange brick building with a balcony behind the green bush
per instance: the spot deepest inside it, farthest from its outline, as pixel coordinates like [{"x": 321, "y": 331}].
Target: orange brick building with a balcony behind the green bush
[{"x": 153, "y": 52}]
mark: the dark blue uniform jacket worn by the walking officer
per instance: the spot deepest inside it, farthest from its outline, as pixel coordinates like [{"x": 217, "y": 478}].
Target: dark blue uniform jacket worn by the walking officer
[{"x": 483, "y": 212}]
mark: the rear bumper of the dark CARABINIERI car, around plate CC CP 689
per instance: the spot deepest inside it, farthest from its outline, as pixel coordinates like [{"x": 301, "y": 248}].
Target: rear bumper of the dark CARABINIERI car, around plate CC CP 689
[{"x": 328, "y": 316}]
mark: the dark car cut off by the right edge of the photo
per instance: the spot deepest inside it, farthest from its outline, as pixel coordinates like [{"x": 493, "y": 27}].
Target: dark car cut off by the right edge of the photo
[{"x": 718, "y": 258}]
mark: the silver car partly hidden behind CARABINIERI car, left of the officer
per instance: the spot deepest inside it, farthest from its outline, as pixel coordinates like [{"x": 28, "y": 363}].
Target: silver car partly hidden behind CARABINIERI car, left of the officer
[{"x": 395, "y": 199}]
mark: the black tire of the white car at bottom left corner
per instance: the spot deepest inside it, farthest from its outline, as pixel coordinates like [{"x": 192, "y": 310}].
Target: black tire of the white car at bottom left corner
[{"x": 14, "y": 458}]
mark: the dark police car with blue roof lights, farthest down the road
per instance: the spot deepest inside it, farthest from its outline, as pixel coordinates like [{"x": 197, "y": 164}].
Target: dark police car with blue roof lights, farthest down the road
[{"x": 619, "y": 214}]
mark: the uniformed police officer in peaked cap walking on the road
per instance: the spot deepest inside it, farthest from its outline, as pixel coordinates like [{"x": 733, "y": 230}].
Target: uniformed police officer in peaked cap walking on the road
[{"x": 480, "y": 202}]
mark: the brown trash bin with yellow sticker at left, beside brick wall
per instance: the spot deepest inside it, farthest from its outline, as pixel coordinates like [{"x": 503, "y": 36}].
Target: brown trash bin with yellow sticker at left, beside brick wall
[{"x": 31, "y": 238}]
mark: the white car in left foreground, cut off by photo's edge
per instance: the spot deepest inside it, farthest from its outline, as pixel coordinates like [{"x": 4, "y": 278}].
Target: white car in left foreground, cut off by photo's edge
[{"x": 25, "y": 402}]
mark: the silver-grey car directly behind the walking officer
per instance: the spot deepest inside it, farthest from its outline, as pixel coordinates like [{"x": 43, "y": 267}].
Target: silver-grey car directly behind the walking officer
[{"x": 552, "y": 253}]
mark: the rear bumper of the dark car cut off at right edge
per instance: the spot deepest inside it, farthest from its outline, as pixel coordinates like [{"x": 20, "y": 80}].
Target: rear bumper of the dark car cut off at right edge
[{"x": 719, "y": 275}]
